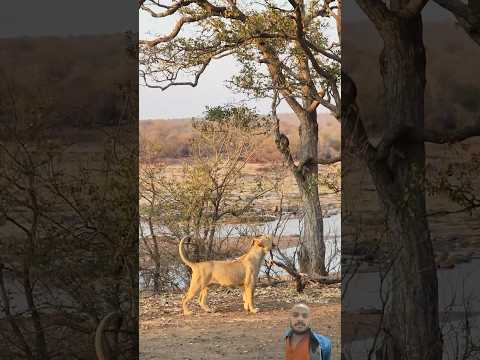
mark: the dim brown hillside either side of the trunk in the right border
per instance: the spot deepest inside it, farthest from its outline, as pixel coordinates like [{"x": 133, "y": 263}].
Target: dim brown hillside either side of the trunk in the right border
[{"x": 451, "y": 97}]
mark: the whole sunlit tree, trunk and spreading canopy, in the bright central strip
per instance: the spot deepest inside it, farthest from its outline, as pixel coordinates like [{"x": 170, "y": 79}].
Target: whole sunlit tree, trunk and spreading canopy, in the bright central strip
[{"x": 284, "y": 54}]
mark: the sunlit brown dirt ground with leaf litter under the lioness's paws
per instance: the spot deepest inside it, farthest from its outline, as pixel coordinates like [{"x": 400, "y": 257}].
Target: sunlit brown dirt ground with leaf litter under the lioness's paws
[{"x": 230, "y": 333}]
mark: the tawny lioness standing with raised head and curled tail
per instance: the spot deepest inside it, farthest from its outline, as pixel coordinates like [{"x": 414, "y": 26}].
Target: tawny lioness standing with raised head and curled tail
[{"x": 239, "y": 272}]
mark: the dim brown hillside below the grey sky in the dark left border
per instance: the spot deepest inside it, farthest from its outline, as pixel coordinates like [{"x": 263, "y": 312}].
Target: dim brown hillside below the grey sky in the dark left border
[{"x": 52, "y": 73}]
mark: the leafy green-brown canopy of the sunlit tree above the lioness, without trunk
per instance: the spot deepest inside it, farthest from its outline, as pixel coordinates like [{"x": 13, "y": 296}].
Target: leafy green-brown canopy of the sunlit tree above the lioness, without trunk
[{"x": 257, "y": 35}]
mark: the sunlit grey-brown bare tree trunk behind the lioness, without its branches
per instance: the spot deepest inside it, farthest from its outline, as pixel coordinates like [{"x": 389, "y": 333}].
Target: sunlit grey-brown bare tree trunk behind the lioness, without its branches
[{"x": 312, "y": 249}]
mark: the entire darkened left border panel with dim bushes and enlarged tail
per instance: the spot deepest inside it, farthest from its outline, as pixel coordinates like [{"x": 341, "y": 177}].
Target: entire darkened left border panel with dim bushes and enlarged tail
[{"x": 69, "y": 180}]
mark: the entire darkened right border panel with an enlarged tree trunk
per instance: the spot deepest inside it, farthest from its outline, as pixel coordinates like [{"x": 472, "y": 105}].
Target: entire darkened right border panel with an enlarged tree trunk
[{"x": 410, "y": 166}]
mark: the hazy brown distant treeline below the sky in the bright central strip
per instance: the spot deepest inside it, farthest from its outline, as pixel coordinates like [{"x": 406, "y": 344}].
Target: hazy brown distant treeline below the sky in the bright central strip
[{"x": 173, "y": 137}]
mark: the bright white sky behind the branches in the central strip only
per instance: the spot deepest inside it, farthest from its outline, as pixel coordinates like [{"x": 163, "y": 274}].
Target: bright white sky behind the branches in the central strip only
[{"x": 186, "y": 101}]
